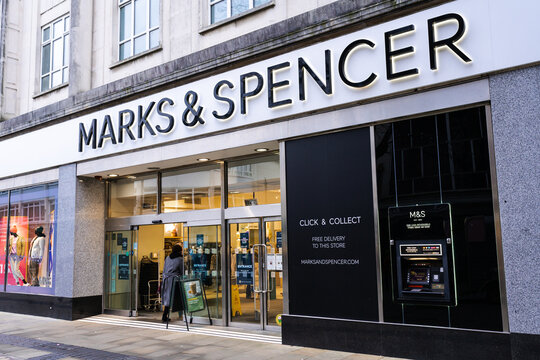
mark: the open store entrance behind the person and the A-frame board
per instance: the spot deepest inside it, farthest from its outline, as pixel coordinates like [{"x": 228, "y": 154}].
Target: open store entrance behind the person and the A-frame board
[{"x": 135, "y": 261}]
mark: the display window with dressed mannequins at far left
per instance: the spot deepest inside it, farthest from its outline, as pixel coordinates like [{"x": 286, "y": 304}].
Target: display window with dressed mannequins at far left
[{"x": 31, "y": 234}]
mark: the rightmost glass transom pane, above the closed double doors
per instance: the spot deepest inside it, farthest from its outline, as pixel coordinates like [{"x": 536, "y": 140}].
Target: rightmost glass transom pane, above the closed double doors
[{"x": 254, "y": 182}]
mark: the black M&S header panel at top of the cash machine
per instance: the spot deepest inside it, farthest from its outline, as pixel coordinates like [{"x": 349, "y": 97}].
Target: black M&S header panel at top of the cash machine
[{"x": 421, "y": 222}]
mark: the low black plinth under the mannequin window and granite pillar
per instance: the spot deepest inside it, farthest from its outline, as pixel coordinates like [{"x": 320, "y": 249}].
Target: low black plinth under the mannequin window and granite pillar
[{"x": 51, "y": 306}]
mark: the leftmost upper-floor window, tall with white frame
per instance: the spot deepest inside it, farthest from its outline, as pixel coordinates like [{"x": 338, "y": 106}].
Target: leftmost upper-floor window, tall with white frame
[{"x": 54, "y": 53}]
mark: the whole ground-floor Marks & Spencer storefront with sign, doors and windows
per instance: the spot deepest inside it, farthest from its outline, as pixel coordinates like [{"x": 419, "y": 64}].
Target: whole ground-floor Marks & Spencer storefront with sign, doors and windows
[{"x": 375, "y": 185}]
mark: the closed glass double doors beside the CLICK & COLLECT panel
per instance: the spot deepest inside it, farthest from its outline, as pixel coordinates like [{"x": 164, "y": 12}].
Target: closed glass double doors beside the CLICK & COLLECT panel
[{"x": 256, "y": 273}]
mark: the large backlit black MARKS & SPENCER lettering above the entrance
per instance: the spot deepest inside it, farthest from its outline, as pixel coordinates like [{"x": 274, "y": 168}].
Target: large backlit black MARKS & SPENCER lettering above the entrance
[{"x": 130, "y": 124}]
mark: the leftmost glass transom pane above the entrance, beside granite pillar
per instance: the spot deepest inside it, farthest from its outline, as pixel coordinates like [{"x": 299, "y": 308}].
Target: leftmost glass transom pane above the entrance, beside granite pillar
[{"x": 133, "y": 196}]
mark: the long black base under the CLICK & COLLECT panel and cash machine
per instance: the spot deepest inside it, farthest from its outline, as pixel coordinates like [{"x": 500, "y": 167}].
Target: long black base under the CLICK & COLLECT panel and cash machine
[{"x": 405, "y": 341}]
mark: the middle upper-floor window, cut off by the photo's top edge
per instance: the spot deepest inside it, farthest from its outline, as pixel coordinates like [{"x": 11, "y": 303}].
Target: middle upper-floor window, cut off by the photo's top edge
[{"x": 139, "y": 27}]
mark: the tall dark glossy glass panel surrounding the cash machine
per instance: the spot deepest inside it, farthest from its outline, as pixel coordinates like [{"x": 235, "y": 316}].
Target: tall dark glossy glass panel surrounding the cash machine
[{"x": 443, "y": 159}]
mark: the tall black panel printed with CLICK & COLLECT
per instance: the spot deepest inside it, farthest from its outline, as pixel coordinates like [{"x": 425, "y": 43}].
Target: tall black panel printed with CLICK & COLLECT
[{"x": 330, "y": 227}]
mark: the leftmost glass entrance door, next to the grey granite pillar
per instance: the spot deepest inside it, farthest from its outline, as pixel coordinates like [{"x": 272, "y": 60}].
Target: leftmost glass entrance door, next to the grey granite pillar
[{"x": 121, "y": 272}]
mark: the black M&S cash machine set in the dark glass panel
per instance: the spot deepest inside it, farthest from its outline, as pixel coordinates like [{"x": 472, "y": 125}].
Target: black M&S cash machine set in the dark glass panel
[{"x": 422, "y": 251}]
